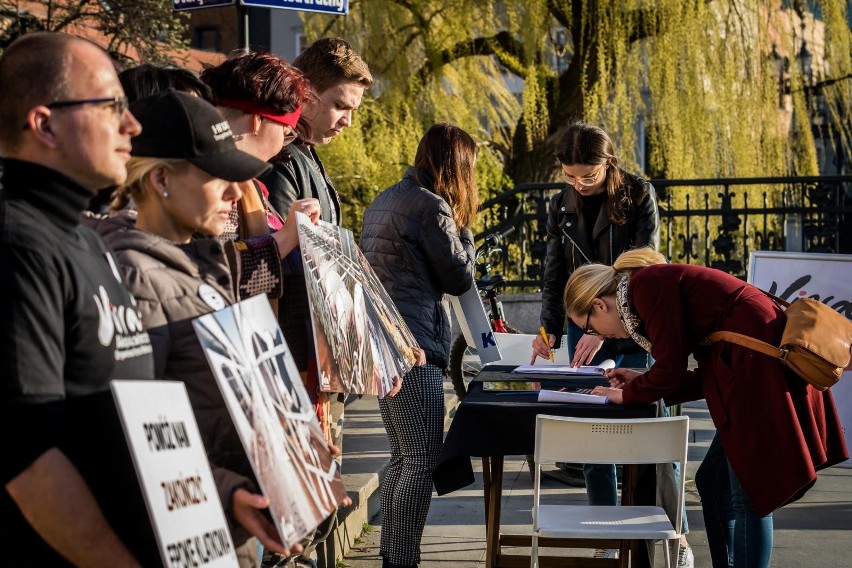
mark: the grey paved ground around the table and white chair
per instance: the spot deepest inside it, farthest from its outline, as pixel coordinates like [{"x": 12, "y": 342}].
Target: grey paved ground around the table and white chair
[{"x": 815, "y": 532}]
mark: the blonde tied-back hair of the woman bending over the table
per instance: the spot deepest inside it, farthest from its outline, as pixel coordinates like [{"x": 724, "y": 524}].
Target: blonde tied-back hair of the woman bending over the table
[{"x": 592, "y": 281}]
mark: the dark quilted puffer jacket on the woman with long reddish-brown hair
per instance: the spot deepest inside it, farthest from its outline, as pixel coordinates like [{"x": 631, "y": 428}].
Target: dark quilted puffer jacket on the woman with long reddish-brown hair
[{"x": 411, "y": 241}]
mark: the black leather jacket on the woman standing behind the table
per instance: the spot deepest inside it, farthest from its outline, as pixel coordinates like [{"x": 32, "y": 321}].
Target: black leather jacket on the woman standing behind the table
[{"x": 568, "y": 246}]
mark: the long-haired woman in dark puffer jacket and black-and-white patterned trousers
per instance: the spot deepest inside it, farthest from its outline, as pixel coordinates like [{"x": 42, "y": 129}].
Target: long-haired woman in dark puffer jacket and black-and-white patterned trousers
[{"x": 416, "y": 238}]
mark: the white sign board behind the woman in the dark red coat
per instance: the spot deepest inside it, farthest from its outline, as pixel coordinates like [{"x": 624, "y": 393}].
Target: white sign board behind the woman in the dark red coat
[{"x": 824, "y": 277}]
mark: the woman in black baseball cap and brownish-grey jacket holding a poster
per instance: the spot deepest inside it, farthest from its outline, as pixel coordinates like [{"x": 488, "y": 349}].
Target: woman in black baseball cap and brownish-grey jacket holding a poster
[{"x": 185, "y": 176}]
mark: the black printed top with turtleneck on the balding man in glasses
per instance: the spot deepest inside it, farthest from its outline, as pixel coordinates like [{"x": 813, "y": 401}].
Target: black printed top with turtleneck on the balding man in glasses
[{"x": 69, "y": 327}]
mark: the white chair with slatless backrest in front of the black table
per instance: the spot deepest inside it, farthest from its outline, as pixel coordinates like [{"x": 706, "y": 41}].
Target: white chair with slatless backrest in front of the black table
[{"x": 591, "y": 440}]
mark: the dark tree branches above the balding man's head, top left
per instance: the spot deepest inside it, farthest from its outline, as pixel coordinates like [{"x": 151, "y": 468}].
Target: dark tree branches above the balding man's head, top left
[{"x": 141, "y": 30}]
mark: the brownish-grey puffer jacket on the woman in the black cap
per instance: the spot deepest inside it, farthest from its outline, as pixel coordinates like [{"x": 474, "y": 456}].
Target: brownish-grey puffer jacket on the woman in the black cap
[{"x": 174, "y": 284}]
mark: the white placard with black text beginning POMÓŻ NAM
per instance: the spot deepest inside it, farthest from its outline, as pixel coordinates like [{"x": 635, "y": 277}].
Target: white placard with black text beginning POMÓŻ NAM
[{"x": 174, "y": 473}]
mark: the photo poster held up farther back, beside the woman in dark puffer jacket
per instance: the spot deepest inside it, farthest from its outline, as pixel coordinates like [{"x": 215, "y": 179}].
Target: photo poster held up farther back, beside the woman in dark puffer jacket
[{"x": 361, "y": 340}]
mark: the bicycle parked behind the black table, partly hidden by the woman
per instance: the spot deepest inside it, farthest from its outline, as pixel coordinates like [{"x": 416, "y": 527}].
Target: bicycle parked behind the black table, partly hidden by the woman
[{"x": 464, "y": 362}]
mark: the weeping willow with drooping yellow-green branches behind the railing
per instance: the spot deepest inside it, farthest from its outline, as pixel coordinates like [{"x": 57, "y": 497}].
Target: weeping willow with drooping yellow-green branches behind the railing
[{"x": 697, "y": 73}]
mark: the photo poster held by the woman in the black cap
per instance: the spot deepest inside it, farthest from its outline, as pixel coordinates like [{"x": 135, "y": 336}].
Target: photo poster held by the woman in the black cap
[{"x": 273, "y": 415}]
